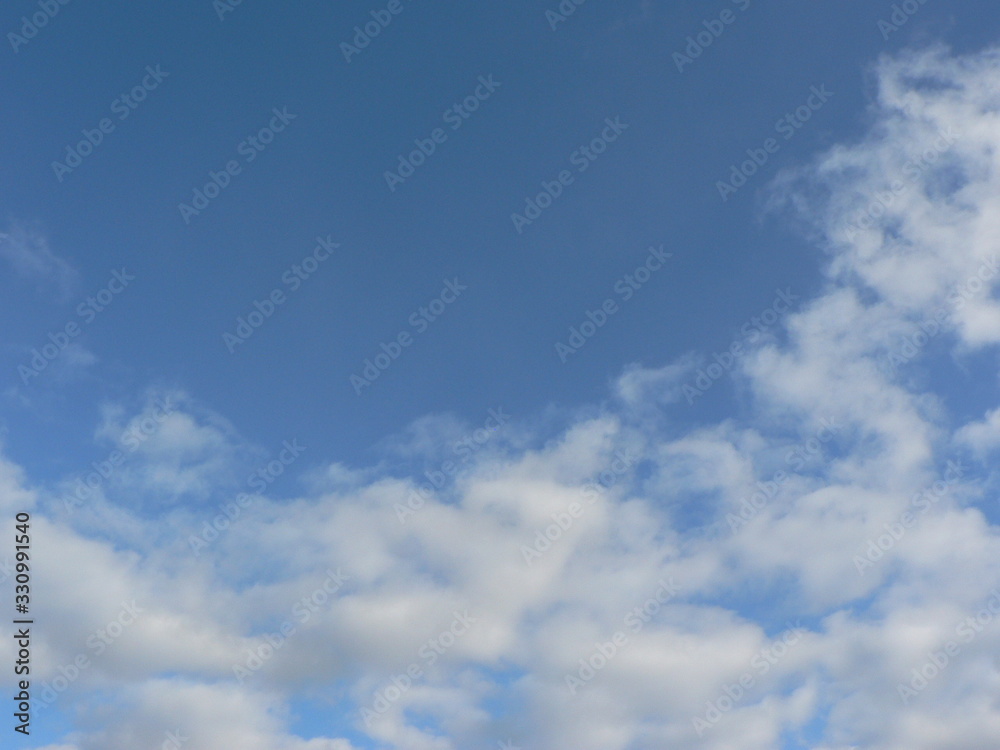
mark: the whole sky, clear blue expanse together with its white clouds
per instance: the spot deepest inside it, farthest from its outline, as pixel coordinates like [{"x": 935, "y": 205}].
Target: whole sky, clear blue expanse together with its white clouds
[{"x": 351, "y": 266}]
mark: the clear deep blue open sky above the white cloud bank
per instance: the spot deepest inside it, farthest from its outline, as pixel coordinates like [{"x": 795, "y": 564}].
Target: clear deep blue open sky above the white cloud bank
[{"x": 324, "y": 176}]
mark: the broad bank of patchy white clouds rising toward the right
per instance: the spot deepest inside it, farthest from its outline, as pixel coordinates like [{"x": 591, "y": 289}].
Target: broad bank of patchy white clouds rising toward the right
[{"x": 616, "y": 585}]
